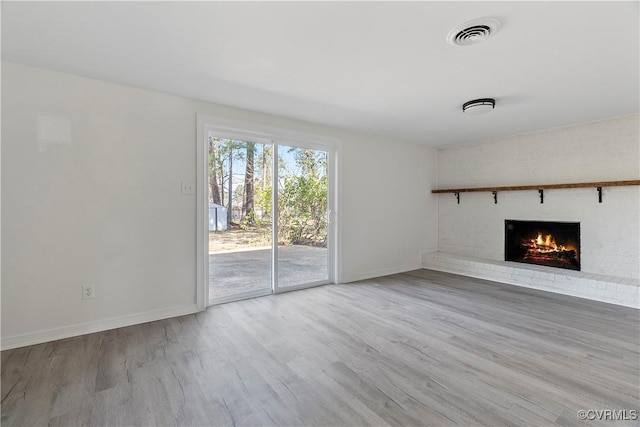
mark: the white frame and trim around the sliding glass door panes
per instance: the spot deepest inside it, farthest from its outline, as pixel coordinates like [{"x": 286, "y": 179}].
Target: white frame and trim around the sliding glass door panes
[{"x": 237, "y": 129}]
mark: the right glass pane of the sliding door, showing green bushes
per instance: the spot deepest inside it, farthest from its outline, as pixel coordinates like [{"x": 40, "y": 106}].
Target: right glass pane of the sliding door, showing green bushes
[{"x": 302, "y": 257}]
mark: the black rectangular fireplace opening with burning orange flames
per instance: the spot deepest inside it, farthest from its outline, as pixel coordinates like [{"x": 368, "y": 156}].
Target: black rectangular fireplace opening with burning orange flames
[{"x": 554, "y": 244}]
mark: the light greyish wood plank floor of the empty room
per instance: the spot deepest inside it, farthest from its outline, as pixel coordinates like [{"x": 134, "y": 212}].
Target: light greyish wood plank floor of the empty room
[{"x": 421, "y": 348}]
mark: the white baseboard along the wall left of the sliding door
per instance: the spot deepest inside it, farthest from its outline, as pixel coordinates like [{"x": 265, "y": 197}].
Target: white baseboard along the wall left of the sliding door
[{"x": 91, "y": 327}]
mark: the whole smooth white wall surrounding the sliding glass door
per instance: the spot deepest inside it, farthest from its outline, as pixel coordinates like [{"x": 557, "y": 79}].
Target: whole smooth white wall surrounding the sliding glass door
[{"x": 91, "y": 179}]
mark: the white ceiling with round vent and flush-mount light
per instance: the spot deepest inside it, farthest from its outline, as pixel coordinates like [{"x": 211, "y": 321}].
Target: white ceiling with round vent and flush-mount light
[{"x": 379, "y": 67}]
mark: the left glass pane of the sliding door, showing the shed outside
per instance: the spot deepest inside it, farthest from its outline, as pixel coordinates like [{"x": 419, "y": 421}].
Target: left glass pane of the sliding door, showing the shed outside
[{"x": 240, "y": 220}]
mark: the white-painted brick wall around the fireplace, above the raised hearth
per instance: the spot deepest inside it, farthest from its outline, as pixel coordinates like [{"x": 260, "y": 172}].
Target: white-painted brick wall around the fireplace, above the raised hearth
[{"x": 603, "y": 151}]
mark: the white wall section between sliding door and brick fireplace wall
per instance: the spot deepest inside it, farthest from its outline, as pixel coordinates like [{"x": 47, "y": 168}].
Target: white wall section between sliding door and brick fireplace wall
[{"x": 387, "y": 207}]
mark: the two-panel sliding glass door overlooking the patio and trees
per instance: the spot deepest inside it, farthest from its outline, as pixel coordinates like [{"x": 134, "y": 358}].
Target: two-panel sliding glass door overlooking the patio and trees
[{"x": 263, "y": 241}]
